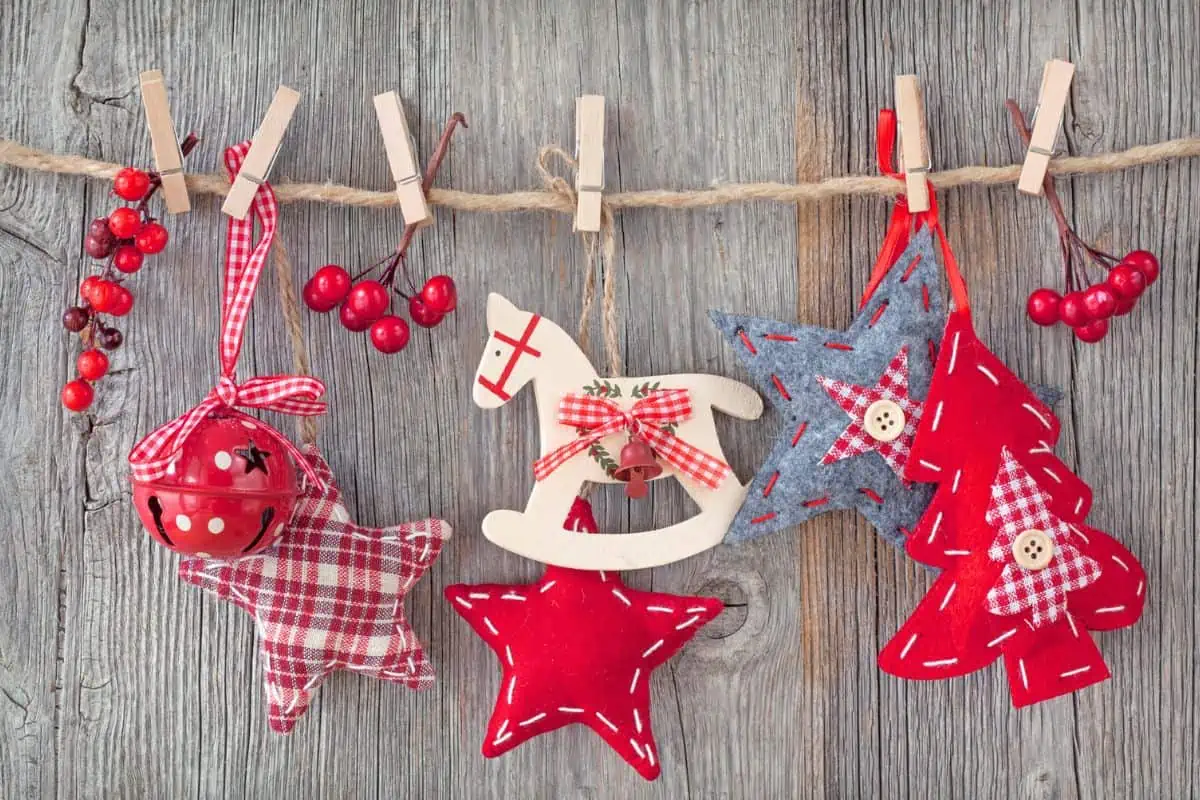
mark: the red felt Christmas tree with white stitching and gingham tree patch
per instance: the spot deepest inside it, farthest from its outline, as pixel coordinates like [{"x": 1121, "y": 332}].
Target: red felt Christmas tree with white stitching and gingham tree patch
[{"x": 982, "y": 432}]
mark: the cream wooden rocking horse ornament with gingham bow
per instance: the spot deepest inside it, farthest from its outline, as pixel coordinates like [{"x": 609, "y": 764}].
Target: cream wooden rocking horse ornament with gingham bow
[{"x": 583, "y": 419}]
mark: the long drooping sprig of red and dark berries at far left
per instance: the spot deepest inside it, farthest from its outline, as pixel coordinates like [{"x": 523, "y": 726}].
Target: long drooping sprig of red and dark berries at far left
[{"x": 122, "y": 240}]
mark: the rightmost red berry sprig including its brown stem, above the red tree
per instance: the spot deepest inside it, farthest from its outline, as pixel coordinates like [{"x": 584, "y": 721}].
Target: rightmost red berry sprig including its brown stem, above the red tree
[{"x": 1087, "y": 308}]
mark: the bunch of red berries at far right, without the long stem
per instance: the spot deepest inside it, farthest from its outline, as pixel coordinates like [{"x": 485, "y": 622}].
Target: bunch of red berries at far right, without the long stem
[{"x": 1088, "y": 311}]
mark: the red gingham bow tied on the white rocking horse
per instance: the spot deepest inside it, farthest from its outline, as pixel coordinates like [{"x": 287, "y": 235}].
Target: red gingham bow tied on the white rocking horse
[{"x": 598, "y": 418}]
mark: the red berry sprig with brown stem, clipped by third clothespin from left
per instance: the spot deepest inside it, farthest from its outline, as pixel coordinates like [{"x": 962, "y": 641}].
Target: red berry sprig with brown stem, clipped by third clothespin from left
[{"x": 364, "y": 304}]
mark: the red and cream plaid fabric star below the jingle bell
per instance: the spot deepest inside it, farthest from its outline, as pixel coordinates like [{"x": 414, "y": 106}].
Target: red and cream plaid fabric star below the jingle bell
[{"x": 329, "y": 596}]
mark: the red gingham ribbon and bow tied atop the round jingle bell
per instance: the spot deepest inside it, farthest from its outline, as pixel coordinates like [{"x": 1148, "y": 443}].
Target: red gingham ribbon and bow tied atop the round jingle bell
[{"x": 285, "y": 394}]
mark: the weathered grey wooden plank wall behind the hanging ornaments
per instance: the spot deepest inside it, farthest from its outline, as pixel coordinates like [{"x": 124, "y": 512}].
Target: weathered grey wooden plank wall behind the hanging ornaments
[{"x": 117, "y": 681}]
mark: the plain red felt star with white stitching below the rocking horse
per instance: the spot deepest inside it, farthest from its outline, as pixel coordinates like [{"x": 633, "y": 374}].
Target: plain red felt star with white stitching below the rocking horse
[{"x": 579, "y": 647}]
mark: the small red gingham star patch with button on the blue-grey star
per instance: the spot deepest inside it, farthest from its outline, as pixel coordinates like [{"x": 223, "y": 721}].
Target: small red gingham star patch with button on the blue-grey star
[{"x": 879, "y": 402}]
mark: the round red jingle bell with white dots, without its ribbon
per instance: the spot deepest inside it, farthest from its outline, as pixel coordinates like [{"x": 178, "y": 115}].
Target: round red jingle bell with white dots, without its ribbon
[{"x": 230, "y": 491}]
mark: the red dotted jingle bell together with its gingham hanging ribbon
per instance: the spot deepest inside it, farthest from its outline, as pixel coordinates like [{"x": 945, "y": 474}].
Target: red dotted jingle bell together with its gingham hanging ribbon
[{"x": 218, "y": 482}]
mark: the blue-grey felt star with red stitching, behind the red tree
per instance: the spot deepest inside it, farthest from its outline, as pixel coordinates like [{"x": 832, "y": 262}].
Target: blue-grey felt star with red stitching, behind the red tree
[{"x": 818, "y": 380}]
